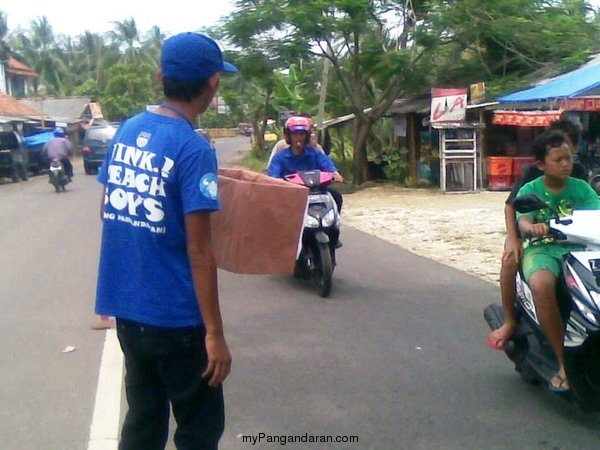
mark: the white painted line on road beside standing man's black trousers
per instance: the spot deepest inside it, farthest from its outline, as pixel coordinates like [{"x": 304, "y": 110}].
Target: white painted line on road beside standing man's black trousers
[{"x": 104, "y": 431}]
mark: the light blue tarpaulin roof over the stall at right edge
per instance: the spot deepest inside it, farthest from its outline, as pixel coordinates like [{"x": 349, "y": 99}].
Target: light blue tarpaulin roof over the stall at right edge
[{"x": 566, "y": 86}]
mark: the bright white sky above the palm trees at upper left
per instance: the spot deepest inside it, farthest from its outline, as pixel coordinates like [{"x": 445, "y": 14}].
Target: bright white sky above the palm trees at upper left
[{"x": 74, "y": 18}]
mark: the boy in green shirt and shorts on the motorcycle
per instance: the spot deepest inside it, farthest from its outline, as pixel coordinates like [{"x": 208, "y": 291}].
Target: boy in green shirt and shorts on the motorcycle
[{"x": 542, "y": 260}]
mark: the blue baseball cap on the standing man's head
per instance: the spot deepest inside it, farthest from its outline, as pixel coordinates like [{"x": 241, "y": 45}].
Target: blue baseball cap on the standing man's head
[{"x": 192, "y": 57}]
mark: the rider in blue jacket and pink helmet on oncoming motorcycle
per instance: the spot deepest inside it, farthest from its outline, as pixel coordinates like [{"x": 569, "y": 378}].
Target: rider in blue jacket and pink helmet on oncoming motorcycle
[{"x": 299, "y": 155}]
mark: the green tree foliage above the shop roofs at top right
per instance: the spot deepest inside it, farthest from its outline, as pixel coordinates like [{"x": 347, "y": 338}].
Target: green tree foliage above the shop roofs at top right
[{"x": 503, "y": 41}]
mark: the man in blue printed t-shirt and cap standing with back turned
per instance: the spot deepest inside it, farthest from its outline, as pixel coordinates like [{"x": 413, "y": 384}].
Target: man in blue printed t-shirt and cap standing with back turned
[{"x": 157, "y": 273}]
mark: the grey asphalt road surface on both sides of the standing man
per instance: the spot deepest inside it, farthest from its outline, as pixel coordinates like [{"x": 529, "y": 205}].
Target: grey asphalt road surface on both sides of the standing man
[{"x": 395, "y": 356}]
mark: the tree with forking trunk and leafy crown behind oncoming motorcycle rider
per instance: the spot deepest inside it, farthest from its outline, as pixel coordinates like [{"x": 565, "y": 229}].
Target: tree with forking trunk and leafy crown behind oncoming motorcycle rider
[{"x": 372, "y": 64}]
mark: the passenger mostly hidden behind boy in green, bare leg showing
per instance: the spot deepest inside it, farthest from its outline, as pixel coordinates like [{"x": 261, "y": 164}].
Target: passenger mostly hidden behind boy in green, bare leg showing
[{"x": 513, "y": 250}]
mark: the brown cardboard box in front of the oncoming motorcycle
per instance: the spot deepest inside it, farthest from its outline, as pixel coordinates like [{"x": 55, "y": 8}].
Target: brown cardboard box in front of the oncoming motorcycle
[{"x": 258, "y": 229}]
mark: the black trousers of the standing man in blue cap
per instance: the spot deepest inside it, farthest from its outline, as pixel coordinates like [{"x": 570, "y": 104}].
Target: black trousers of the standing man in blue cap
[{"x": 164, "y": 365}]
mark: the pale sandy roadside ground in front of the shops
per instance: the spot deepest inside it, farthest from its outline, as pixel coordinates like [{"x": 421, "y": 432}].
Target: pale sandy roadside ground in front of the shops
[{"x": 464, "y": 231}]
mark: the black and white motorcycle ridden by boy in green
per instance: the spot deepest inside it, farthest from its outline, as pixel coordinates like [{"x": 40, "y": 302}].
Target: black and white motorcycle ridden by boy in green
[{"x": 578, "y": 295}]
